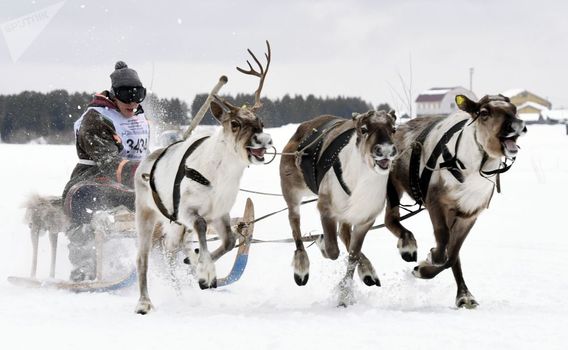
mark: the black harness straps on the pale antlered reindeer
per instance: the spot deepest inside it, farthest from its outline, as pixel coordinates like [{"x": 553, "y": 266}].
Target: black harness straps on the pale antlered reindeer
[{"x": 181, "y": 173}]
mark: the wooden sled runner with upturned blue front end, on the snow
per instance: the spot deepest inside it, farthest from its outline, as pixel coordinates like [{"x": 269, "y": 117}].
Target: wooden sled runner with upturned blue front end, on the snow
[{"x": 244, "y": 232}]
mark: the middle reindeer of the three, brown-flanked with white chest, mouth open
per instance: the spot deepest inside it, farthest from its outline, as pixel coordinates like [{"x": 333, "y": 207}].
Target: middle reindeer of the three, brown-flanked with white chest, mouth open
[{"x": 360, "y": 150}]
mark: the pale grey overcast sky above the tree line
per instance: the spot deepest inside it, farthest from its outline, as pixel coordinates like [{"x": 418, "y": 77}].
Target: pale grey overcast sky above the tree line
[{"x": 325, "y": 47}]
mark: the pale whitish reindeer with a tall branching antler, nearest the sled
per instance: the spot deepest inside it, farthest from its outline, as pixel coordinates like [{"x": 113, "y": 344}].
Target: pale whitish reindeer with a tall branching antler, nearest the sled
[{"x": 204, "y": 173}]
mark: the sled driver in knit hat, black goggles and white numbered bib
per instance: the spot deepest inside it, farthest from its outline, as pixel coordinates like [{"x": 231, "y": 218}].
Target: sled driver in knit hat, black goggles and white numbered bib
[{"x": 111, "y": 139}]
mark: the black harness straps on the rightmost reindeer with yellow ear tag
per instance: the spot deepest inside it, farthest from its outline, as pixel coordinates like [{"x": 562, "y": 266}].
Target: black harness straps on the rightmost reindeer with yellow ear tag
[{"x": 419, "y": 183}]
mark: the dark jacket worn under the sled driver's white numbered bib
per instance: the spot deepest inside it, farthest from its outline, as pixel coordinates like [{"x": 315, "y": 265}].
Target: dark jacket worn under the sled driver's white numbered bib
[{"x": 97, "y": 141}]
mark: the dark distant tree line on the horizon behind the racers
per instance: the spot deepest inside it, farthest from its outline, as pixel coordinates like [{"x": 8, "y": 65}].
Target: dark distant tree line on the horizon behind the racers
[{"x": 33, "y": 115}]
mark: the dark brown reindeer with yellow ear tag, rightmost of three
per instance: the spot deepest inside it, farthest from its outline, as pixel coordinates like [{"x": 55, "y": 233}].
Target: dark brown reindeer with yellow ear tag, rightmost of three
[{"x": 454, "y": 188}]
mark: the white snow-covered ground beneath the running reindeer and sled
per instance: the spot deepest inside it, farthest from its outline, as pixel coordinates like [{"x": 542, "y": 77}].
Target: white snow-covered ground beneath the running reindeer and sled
[{"x": 514, "y": 262}]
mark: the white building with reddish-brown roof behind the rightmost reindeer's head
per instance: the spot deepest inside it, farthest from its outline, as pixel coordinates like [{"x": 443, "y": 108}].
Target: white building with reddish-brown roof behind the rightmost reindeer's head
[{"x": 440, "y": 101}]
